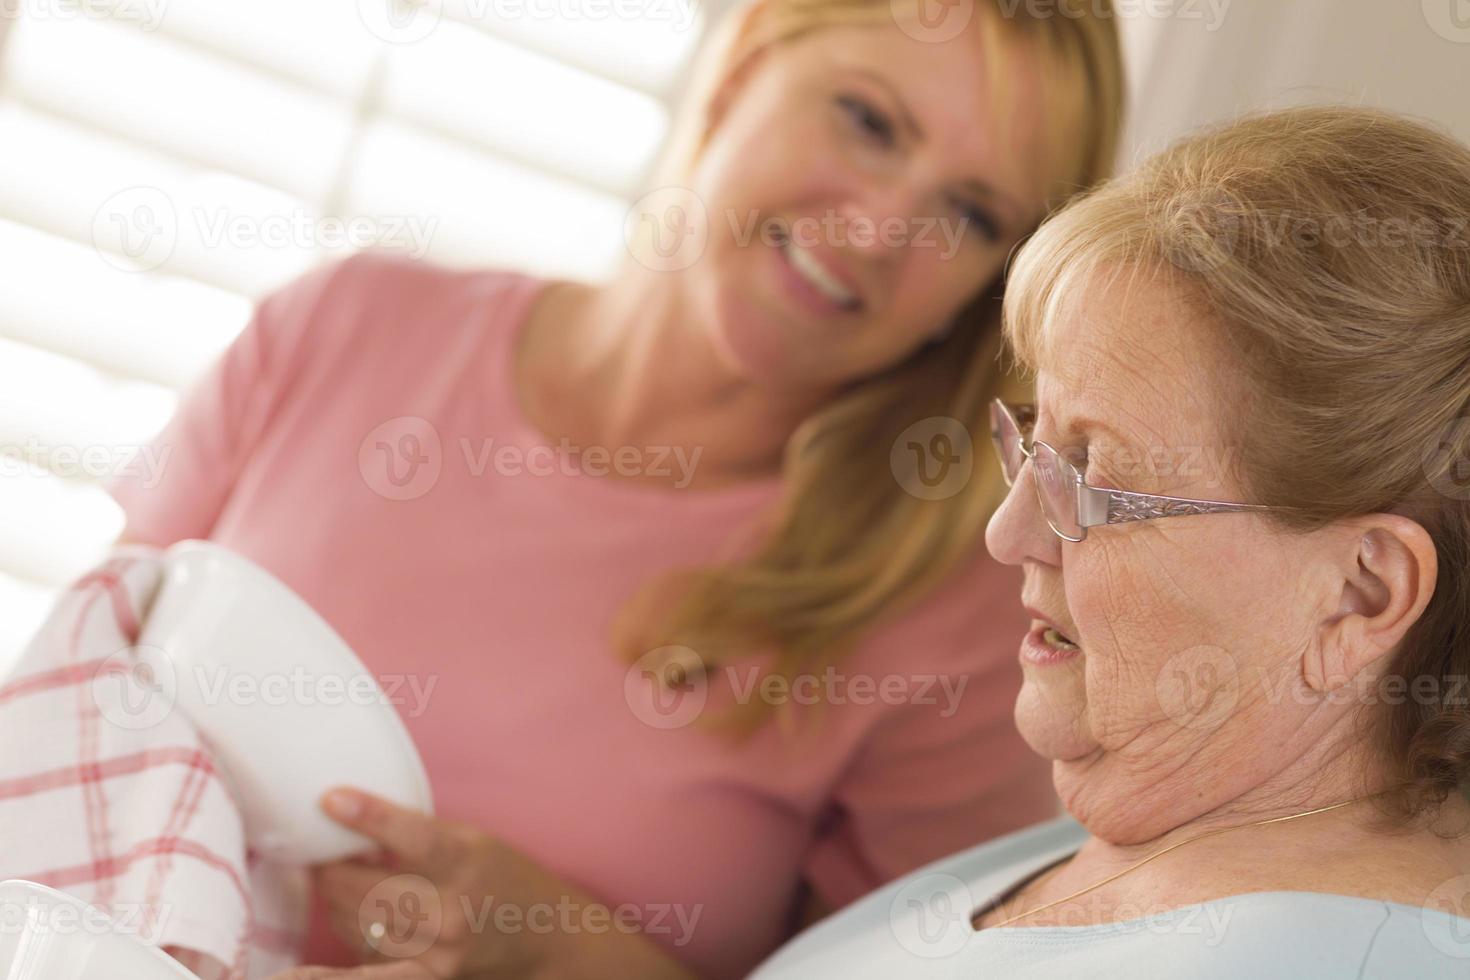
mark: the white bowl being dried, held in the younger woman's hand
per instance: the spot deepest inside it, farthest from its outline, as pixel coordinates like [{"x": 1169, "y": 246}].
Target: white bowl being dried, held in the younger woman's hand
[{"x": 283, "y": 703}]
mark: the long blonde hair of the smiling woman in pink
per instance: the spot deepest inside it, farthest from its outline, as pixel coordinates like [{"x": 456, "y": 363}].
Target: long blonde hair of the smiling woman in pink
[{"x": 847, "y": 544}]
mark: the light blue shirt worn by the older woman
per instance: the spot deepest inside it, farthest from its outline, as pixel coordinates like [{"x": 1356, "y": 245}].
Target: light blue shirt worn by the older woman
[{"x": 919, "y": 928}]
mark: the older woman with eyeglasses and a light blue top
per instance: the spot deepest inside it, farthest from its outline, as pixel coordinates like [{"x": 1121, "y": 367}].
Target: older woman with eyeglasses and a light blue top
[{"x": 1241, "y": 514}]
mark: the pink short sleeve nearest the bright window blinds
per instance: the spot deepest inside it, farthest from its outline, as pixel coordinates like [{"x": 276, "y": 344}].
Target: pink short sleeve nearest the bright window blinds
[{"x": 198, "y": 458}]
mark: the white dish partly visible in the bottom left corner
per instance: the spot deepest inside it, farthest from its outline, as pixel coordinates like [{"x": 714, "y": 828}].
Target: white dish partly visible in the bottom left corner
[{"x": 49, "y": 935}]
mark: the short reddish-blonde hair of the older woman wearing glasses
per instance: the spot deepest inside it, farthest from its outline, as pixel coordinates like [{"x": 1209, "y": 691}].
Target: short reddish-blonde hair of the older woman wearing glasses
[{"x": 1330, "y": 248}]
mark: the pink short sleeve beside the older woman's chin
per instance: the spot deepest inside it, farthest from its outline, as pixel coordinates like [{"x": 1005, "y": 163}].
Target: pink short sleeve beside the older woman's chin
[{"x": 947, "y": 769}]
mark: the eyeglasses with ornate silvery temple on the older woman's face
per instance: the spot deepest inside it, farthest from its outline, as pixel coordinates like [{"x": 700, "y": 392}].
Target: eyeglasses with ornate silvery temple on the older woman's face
[{"x": 1068, "y": 503}]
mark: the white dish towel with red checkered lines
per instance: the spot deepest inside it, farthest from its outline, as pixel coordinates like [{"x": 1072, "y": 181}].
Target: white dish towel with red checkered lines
[{"x": 110, "y": 794}]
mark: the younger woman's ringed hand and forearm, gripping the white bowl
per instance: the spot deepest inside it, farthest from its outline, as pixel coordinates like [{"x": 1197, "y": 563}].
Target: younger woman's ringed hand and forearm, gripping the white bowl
[{"x": 437, "y": 894}]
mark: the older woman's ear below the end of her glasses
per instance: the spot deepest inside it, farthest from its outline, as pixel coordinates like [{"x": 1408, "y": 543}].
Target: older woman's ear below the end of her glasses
[{"x": 1390, "y": 569}]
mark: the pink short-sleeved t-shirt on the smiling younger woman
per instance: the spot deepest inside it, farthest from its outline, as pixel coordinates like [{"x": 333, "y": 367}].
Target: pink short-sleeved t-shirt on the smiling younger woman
[{"x": 362, "y": 442}]
